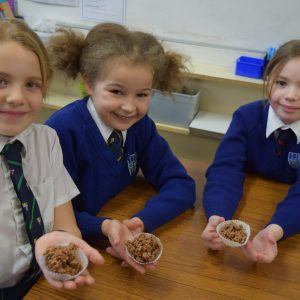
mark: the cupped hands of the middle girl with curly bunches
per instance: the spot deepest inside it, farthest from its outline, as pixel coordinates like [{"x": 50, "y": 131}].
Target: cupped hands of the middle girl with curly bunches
[{"x": 117, "y": 234}]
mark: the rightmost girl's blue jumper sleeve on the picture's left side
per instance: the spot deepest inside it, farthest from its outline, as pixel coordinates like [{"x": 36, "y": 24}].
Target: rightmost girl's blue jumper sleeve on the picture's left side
[{"x": 225, "y": 176}]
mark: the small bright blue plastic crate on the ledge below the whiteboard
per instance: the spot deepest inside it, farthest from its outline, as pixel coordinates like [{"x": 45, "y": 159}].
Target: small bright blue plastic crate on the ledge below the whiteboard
[{"x": 250, "y": 67}]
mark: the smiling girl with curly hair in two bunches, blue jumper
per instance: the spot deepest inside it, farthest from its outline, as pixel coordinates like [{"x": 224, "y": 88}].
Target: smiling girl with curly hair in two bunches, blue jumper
[{"x": 107, "y": 136}]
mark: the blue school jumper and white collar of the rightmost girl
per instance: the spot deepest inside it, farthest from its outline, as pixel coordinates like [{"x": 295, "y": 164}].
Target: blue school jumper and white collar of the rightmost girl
[{"x": 250, "y": 146}]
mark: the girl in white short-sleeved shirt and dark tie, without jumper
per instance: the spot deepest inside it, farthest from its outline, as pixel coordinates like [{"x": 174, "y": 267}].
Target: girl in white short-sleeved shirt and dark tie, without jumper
[{"x": 35, "y": 188}]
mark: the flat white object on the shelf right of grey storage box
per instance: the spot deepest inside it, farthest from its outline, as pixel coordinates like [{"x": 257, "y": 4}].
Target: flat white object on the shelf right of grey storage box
[{"x": 210, "y": 124}]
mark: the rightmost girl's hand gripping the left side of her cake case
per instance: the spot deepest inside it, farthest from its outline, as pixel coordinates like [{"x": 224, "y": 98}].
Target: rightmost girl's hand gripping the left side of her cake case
[{"x": 209, "y": 235}]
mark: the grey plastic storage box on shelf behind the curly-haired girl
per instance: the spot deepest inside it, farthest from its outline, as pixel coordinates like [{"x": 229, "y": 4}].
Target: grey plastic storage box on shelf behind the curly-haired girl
[{"x": 174, "y": 109}]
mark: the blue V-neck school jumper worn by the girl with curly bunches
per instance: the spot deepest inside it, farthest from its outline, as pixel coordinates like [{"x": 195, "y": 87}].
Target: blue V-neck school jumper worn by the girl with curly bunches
[{"x": 99, "y": 176}]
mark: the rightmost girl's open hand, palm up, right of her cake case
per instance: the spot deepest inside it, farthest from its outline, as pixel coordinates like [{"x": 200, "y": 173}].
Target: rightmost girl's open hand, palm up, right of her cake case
[{"x": 263, "y": 247}]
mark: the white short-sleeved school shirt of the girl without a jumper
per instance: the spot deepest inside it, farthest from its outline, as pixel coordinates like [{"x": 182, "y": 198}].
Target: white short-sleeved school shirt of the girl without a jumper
[{"x": 51, "y": 185}]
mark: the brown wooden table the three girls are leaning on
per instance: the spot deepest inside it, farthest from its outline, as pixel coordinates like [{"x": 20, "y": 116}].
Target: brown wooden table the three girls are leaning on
[{"x": 187, "y": 270}]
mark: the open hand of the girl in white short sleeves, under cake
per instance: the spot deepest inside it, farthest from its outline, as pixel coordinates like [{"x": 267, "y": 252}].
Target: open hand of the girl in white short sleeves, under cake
[{"x": 58, "y": 237}]
